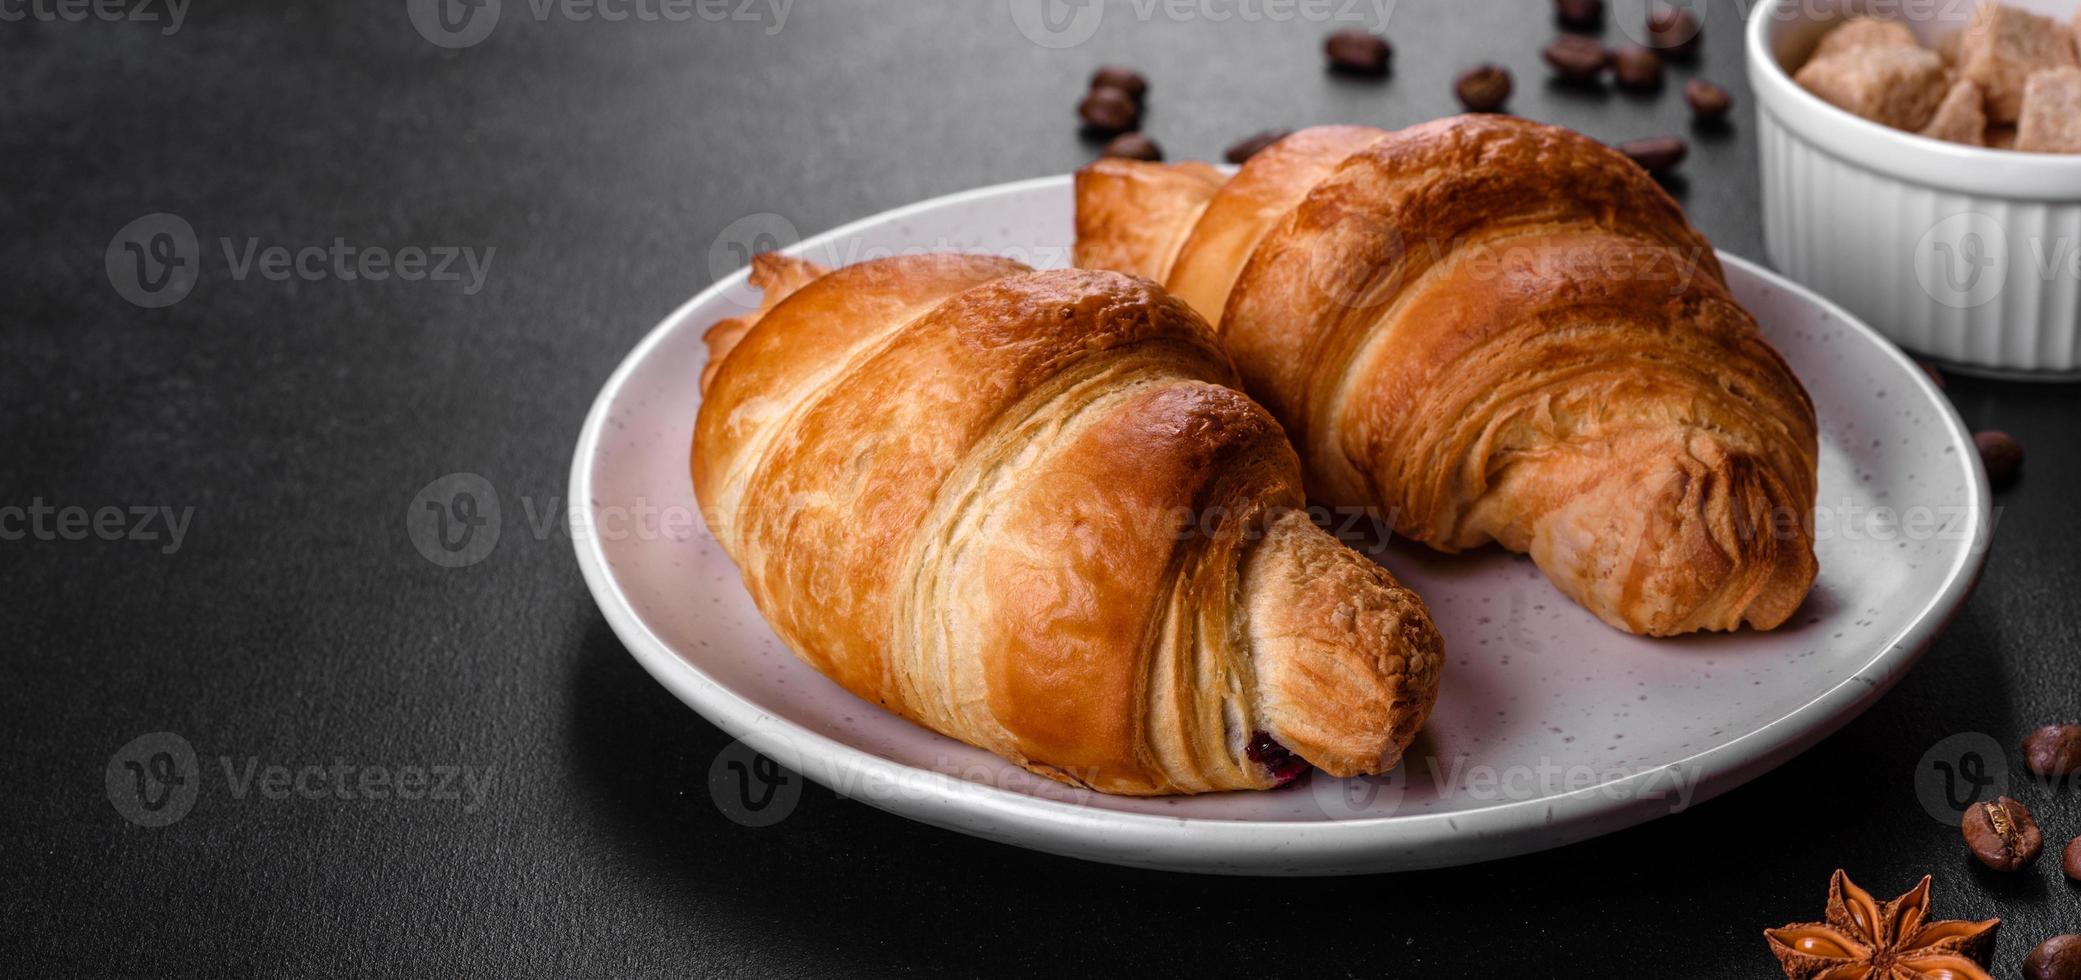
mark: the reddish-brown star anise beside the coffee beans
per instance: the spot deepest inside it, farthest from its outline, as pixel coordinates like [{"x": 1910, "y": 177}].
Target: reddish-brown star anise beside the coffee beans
[{"x": 1868, "y": 939}]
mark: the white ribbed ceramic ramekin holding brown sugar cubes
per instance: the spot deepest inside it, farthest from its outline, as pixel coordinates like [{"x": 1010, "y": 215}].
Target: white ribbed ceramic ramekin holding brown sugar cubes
[{"x": 1963, "y": 255}]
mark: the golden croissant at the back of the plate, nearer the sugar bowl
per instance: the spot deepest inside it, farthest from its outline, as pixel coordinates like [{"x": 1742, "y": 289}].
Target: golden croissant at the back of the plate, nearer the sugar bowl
[{"x": 1506, "y": 332}]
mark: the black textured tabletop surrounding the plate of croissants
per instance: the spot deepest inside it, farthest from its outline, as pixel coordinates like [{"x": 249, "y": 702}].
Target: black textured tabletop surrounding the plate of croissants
[{"x": 299, "y": 625}]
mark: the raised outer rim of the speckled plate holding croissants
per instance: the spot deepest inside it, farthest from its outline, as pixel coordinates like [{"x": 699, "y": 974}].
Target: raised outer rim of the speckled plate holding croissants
[{"x": 1360, "y": 846}]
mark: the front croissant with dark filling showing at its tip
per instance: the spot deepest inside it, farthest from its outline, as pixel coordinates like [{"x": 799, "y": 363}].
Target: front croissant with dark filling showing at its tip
[{"x": 1033, "y": 513}]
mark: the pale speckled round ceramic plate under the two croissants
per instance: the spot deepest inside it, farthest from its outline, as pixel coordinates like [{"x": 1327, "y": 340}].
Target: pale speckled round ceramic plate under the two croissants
[{"x": 1551, "y": 727}]
